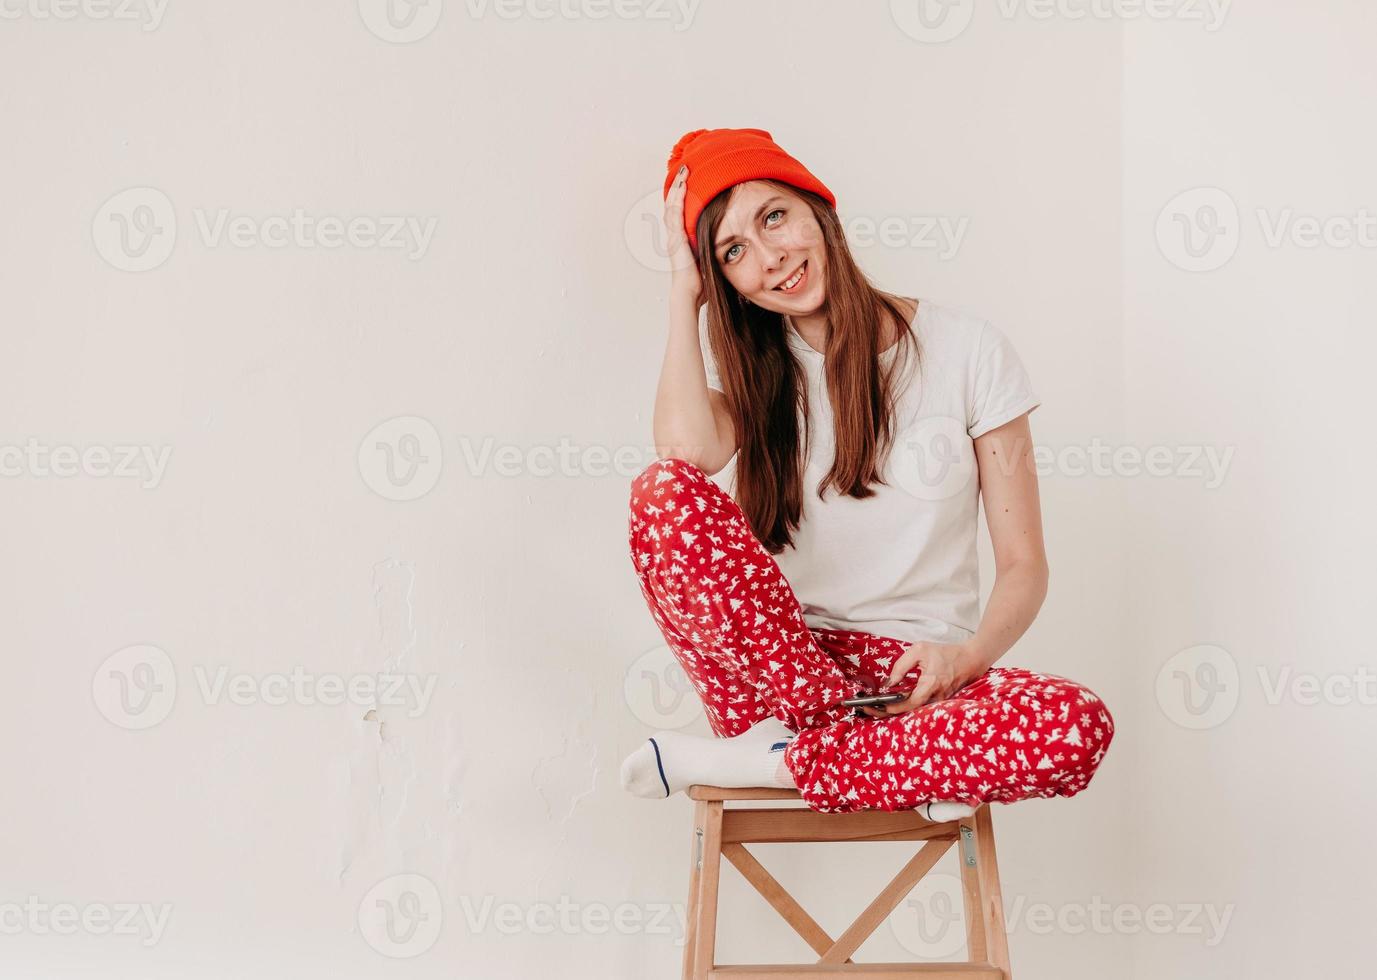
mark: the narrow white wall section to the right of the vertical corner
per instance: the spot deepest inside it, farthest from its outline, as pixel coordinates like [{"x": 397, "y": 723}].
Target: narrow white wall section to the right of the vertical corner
[{"x": 1261, "y": 580}]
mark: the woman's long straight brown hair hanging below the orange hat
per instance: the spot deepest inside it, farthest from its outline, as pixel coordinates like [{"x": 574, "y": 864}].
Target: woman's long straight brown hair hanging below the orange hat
[{"x": 766, "y": 385}]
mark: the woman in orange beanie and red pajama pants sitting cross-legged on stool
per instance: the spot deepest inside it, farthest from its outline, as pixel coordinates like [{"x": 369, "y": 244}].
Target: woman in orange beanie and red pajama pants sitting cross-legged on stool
[{"x": 865, "y": 427}]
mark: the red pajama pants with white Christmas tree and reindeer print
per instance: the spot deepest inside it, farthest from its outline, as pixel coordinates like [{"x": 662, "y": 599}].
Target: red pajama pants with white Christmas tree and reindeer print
[{"x": 736, "y": 627}]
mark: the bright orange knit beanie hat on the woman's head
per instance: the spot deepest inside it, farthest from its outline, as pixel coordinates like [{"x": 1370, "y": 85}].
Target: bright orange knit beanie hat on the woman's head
[{"x": 719, "y": 159}]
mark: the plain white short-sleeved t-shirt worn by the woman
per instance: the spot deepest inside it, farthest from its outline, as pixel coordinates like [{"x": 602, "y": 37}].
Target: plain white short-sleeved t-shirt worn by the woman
[{"x": 904, "y": 562}]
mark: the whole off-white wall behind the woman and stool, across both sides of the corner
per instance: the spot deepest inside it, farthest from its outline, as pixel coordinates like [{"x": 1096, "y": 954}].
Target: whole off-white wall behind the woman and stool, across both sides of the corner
[{"x": 527, "y": 316}]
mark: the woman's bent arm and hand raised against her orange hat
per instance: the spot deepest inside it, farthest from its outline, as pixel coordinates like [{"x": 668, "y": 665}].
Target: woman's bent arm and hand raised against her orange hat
[{"x": 692, "y": 422}]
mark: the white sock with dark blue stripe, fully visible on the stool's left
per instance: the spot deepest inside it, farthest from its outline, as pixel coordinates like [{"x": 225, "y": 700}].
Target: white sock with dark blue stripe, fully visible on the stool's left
[{"x": 673, "y": 762}]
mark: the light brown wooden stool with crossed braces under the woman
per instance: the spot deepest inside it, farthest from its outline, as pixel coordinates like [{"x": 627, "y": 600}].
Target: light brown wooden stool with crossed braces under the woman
[{"x": 721, "y": 832}]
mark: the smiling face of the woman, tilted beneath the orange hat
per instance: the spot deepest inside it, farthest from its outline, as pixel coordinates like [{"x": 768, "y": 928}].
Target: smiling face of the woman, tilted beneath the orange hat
[{"x": 768, "y": 236}]
